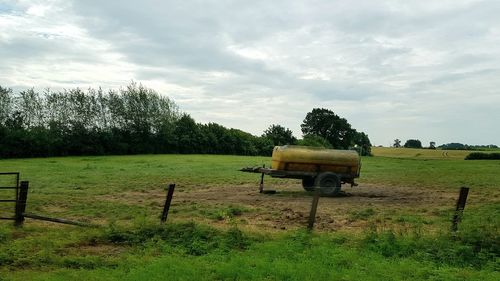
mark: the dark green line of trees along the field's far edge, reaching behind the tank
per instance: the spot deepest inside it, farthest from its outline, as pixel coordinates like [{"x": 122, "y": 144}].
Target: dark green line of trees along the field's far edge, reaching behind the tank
[{"x": 132, "y": 120}]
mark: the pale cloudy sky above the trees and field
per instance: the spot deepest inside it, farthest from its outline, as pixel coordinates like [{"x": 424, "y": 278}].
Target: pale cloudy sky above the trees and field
[{"x": 427, "y": 70}]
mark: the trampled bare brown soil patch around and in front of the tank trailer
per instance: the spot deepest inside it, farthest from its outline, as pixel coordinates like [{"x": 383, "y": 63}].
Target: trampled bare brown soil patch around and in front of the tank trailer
[{"x": 290, "y": 206}]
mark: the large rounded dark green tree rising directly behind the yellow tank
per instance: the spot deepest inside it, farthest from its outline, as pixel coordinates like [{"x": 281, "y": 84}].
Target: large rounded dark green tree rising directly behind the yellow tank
[{"x": 325, "y": 123}]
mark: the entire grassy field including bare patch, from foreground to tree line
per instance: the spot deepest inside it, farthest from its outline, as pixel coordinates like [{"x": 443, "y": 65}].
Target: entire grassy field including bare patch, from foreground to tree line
[{"x": 393, "y": 226}]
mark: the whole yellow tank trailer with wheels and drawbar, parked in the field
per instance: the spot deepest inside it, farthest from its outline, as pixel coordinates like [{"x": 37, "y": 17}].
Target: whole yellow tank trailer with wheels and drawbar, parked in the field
[{"x": 320, "y": 168}]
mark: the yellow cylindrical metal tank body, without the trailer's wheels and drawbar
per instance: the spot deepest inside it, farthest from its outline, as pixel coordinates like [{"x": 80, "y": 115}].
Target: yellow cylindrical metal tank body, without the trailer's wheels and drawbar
[{"x": 313, "y": 159}]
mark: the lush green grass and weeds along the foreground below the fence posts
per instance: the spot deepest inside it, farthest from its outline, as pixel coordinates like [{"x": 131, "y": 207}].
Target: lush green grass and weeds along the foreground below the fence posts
[{"x": 174, "y": 253}]
